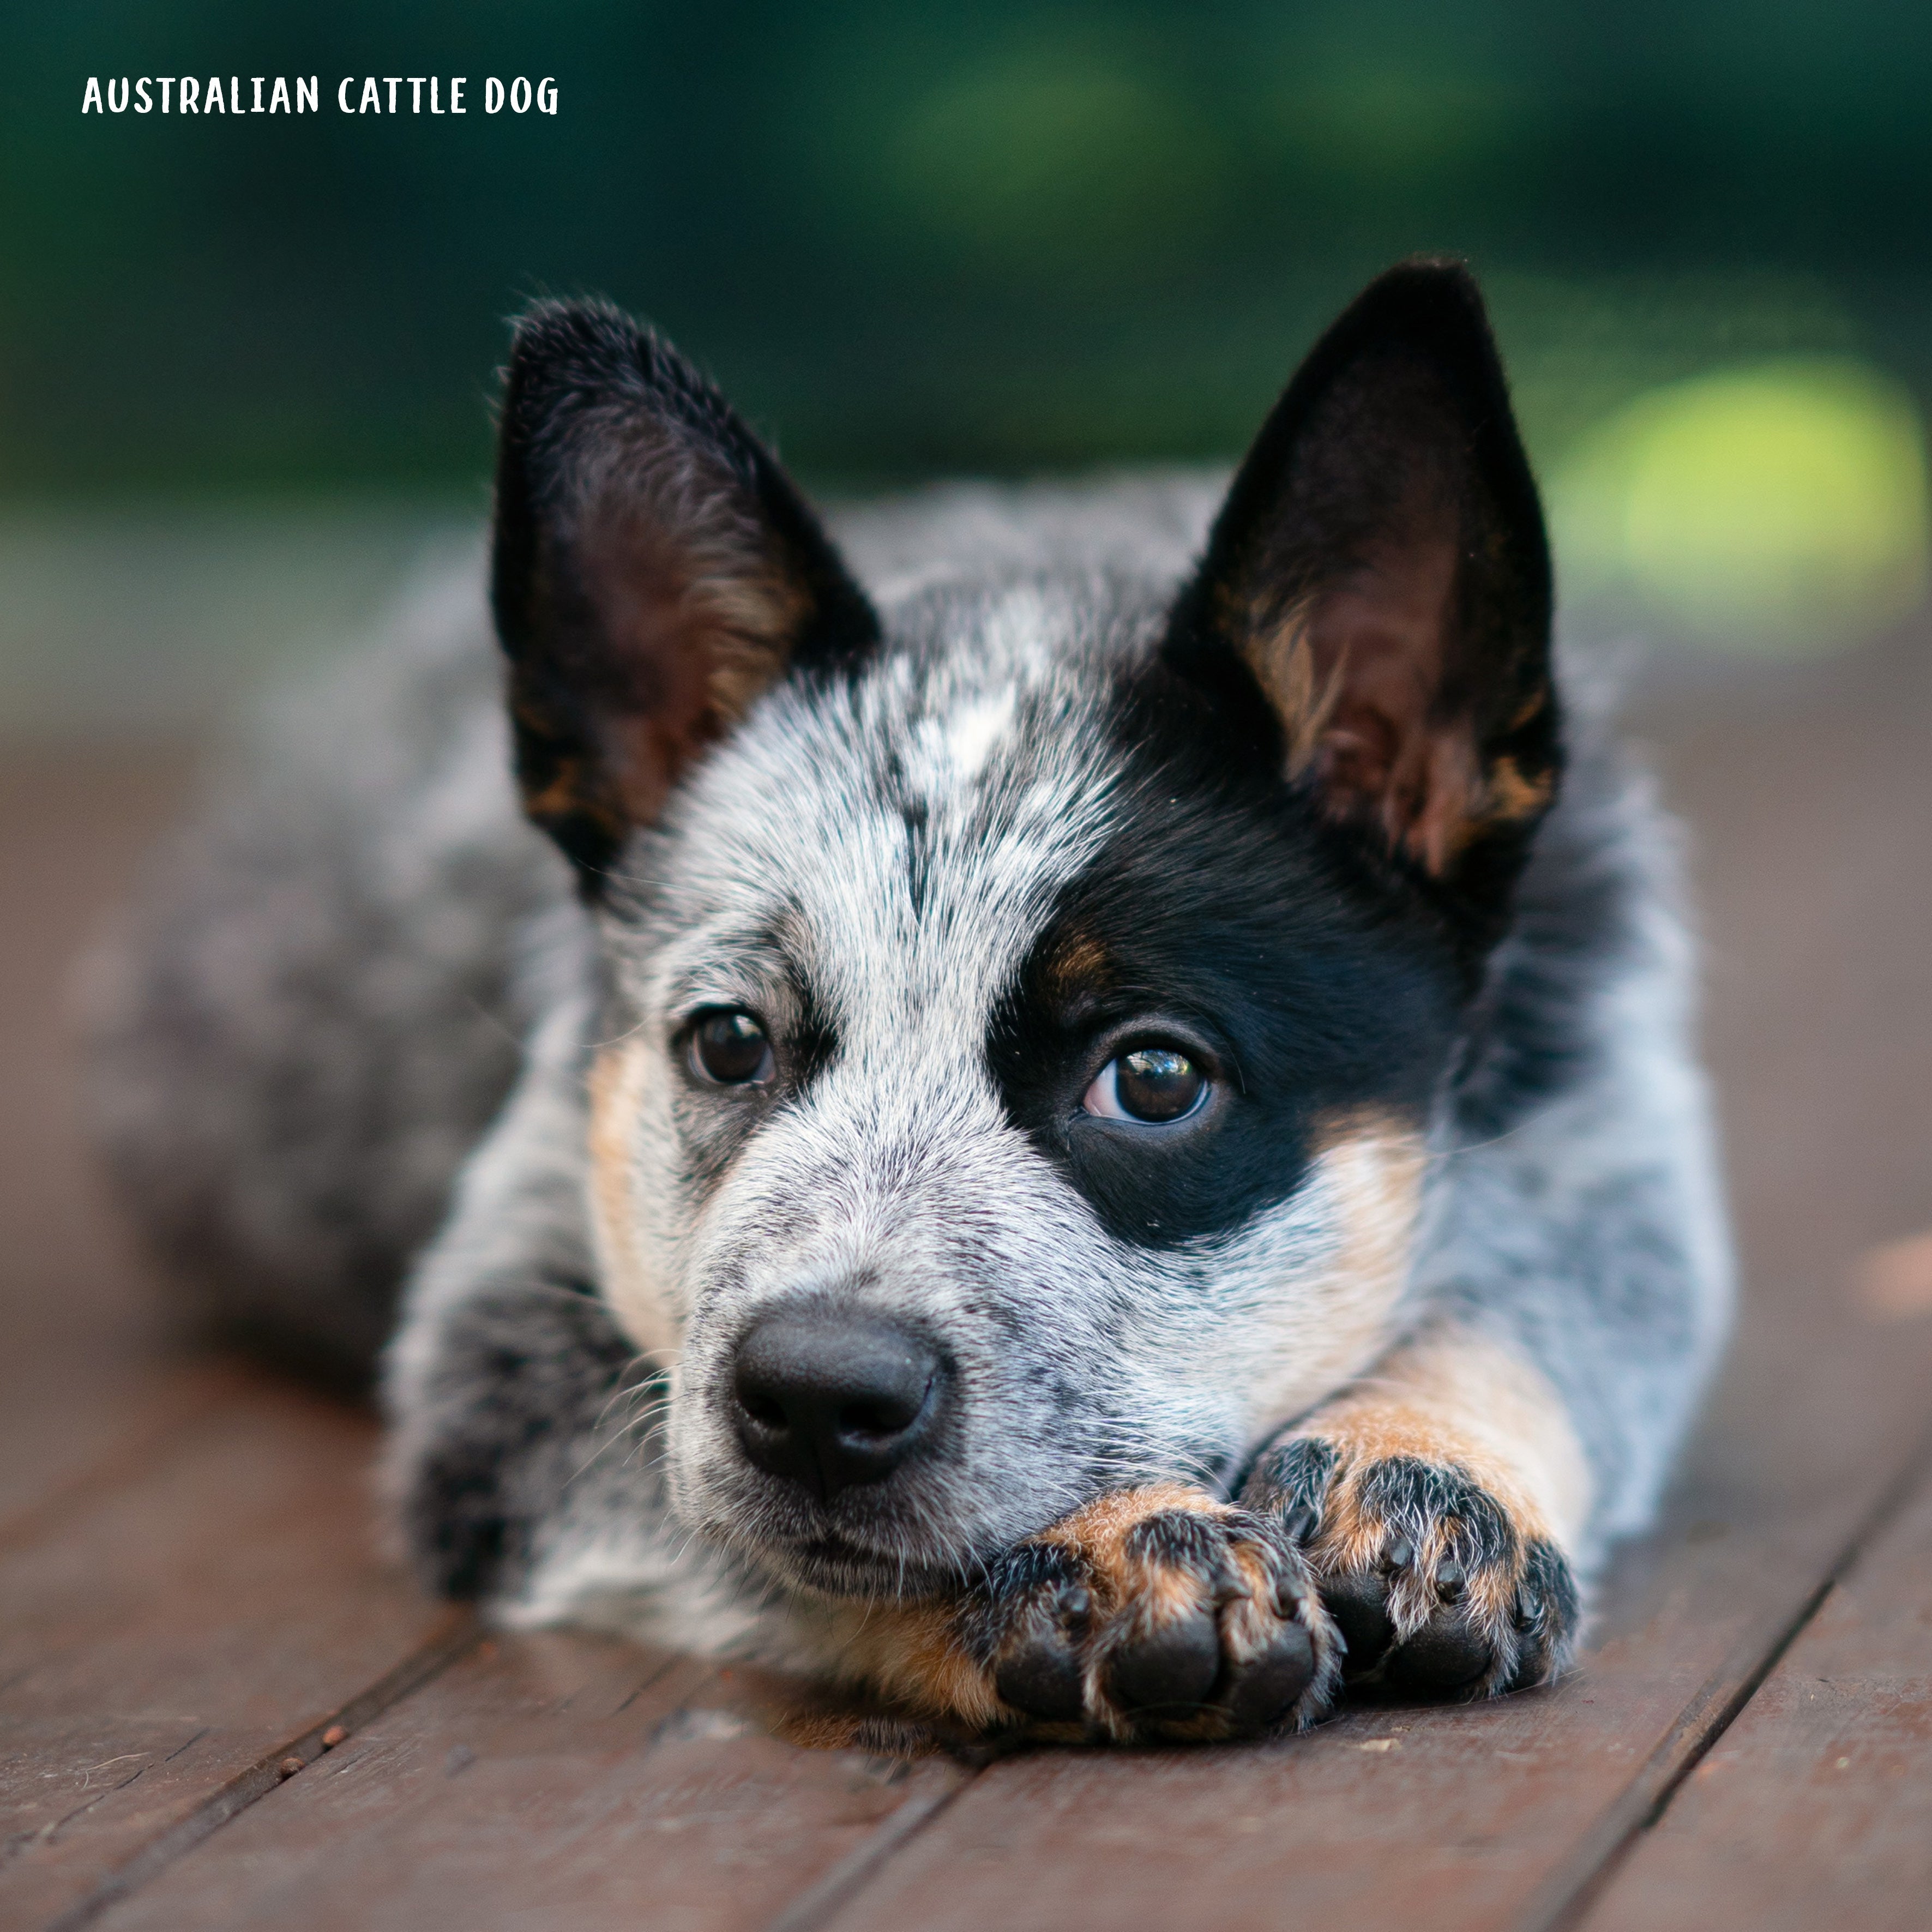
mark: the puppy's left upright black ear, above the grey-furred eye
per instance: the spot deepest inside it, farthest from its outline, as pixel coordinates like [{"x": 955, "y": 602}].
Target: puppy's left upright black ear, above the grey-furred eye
[{"x": 654, "y": 573}]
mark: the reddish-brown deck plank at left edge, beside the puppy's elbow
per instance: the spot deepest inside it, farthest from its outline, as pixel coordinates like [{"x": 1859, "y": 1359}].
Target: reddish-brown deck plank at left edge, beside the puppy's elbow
[{"x": 183, "y": 1624}]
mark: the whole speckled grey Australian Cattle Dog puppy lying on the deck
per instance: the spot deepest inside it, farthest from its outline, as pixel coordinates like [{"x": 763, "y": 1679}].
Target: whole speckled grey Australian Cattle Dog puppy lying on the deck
[{"x": 1110, "y": 1141}]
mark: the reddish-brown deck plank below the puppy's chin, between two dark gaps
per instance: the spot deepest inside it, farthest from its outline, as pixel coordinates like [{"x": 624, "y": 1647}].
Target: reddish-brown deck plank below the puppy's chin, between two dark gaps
[{"x": 555, "y": 1780}]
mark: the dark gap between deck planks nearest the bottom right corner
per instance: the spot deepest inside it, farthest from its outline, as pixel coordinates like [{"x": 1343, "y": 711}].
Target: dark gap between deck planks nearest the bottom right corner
[{"x": 1572, "y": 1892}]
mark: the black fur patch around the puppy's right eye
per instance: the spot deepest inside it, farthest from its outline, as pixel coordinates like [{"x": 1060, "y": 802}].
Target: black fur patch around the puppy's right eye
[{"x": 1224, "y": 928}]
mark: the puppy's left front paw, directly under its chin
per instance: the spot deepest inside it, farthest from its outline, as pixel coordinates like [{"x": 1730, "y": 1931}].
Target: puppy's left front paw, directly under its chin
[{"x": 1156, "y": 1614}]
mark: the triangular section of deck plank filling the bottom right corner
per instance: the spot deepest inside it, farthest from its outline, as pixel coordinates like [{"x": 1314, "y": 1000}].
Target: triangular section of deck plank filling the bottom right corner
[{"x": 1815, "y": 1807}]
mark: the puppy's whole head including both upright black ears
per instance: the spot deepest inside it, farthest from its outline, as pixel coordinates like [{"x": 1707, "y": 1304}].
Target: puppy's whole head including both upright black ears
[{"x": 1025, "y": 998}]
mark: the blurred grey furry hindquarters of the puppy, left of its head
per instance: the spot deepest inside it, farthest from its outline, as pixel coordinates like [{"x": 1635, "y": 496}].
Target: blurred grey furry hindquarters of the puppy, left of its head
[{"x": 318, "y": 1002}]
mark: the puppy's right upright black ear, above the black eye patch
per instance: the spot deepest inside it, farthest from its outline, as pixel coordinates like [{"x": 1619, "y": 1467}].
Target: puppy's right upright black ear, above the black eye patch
[{"x": 1382, "y": 573}]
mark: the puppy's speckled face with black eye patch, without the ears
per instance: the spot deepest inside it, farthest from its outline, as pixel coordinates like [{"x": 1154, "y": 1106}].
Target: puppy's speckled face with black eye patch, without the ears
[{"x": 965, "y": 1013}]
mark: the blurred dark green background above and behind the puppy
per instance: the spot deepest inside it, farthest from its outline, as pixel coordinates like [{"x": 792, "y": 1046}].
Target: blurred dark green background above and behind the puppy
[{"x": 248, "y": 360}]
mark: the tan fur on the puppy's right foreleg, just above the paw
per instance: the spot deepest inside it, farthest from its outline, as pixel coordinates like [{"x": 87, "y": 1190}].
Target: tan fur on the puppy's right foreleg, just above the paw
[{"x": 1463, "y": 1400}]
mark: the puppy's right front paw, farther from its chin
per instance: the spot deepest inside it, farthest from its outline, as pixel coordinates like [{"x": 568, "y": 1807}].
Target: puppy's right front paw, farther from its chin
[{"x": 1442, "y": 1583}]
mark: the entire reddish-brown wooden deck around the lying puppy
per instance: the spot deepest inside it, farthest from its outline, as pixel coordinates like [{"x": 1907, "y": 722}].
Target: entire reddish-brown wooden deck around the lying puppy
[{"x": 223, "y": 1707}]
